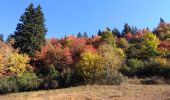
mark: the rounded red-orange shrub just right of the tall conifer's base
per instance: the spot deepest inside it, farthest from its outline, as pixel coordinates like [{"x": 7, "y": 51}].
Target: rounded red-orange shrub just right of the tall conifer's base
[{"x": 53, "y": 57}]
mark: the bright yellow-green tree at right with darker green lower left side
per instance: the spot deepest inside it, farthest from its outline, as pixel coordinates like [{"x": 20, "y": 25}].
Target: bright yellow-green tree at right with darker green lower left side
[{"x": 146, "y": 49}]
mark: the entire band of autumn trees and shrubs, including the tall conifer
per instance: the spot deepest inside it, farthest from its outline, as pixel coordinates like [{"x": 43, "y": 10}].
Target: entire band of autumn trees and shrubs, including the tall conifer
[{"x": 29, "y": 61}]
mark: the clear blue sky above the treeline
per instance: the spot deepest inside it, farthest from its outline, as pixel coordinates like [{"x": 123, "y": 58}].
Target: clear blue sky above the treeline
[{"x": 66, "y": 17}]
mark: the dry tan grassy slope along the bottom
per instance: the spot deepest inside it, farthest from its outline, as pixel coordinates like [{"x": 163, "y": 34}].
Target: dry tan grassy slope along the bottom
[{"x": 95, "y": 92}]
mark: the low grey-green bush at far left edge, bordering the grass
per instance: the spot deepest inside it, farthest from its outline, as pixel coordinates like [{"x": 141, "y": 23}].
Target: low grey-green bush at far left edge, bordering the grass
[{"x": 8, "y": 85}]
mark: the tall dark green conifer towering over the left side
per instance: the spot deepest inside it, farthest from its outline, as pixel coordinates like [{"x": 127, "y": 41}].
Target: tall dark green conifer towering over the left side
[{"x": 30, "y": 32}]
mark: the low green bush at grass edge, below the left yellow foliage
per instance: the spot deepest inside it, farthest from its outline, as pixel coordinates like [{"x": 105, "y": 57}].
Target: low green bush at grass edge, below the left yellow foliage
[{"x": 28, "y": 81}]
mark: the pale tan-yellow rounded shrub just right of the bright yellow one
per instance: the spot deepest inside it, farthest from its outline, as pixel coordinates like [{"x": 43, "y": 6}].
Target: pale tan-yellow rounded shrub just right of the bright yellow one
[{"x": 110, "y": 57}]
